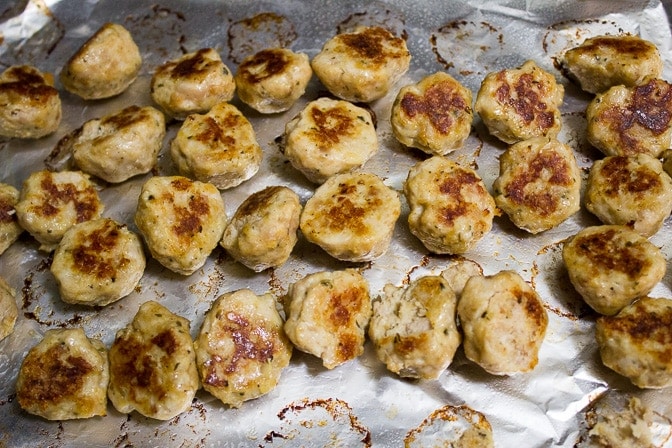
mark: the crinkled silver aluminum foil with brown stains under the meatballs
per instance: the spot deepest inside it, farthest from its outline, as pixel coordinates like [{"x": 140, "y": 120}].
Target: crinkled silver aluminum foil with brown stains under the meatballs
[{"x": 359, "y": 403}]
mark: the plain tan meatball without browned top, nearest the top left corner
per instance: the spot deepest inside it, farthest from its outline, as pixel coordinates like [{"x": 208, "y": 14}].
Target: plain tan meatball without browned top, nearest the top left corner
[{"x": 104, "y": 66}]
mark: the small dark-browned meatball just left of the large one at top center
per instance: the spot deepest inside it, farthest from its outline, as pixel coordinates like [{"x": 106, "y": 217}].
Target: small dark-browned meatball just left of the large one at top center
[{"x": 271, "y": 80}]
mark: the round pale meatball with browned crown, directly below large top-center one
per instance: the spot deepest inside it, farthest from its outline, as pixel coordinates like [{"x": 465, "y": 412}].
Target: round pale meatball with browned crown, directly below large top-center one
[{"x": 330, "y": 137}]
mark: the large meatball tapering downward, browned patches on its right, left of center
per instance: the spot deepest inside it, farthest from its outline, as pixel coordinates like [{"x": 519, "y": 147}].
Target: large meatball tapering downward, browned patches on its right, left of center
[{"x": 181, "y": 221}]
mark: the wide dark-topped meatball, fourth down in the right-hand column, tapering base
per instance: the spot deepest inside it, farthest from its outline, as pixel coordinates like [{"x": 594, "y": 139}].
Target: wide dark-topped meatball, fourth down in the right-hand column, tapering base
[{"x": 610, "y": 266}]
